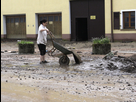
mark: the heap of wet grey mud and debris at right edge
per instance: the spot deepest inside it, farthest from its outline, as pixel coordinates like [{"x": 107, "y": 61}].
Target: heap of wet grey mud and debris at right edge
[{"x": 128, "y": 63}]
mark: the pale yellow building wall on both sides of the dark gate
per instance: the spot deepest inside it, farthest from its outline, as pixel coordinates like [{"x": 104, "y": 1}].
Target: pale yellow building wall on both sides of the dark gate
[{"x": 31, "y": 7}]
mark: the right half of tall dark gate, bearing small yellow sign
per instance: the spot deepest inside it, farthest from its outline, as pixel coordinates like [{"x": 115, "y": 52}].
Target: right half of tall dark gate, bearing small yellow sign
[{"x": 97, "y": 19}]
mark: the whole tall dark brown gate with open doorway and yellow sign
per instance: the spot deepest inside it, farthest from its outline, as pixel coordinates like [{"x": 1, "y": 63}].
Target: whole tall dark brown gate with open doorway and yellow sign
[{"x": 87, "y": 19}]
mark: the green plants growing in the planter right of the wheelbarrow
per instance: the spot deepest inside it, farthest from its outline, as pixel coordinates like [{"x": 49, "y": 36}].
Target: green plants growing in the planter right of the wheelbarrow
[{"x": 101, "y": 40}]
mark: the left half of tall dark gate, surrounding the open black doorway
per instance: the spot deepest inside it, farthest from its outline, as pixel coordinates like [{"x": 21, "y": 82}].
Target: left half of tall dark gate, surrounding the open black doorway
[{"x": 79, "y": 9}]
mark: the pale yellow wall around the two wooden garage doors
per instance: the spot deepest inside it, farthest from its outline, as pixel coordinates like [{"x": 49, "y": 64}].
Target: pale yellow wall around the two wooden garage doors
[{"x": 31, "y": 7}]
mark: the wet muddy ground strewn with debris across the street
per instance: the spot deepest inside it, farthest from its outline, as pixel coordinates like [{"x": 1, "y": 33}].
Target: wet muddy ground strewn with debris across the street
[{"x": 23, "y": 79}]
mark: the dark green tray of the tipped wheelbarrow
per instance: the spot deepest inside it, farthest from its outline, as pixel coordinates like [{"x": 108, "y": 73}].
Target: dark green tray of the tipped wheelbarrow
[{"x": 61, "y": 48}]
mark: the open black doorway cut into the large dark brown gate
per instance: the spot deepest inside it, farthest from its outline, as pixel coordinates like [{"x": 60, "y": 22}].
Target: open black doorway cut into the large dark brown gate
[{"x": 81, "y": 29}]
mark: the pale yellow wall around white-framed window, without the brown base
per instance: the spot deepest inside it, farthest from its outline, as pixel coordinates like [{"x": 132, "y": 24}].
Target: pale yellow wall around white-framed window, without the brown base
[{"x": 118, "y": 5}]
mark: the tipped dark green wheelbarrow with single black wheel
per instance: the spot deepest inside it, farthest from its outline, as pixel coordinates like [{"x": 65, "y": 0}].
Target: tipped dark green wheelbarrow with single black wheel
[{"x": 64, "y": 60}]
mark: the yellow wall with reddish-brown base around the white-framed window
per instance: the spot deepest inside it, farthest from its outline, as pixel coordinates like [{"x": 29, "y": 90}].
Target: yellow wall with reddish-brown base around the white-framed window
[{"x": 119, "y": 5}]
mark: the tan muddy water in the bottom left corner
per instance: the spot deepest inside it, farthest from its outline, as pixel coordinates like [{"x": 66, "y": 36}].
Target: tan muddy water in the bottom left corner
[{"x": 11, "y": 92}]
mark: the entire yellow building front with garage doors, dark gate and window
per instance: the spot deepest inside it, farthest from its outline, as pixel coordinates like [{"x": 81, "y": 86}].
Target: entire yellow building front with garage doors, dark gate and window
[{"x": 79, "y": 20}]
